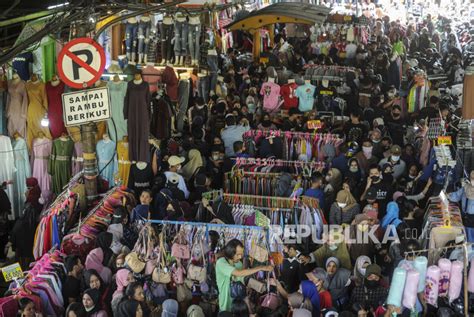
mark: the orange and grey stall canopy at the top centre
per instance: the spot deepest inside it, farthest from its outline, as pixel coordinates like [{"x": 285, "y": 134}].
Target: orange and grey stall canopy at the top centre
[{"x": 283, "y": 12}]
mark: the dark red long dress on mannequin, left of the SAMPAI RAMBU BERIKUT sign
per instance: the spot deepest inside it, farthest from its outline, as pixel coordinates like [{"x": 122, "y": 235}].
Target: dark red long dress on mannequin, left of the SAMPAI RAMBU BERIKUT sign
[{"x": 54, "y": 91}]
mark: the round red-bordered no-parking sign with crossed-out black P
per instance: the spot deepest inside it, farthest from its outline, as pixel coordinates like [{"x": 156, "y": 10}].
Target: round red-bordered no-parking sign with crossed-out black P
[{"x": 81, "y": 63}]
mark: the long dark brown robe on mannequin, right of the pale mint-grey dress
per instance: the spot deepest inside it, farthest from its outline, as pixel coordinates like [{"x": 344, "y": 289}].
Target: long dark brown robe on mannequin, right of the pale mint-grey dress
[{"x": 137, "y": 111}]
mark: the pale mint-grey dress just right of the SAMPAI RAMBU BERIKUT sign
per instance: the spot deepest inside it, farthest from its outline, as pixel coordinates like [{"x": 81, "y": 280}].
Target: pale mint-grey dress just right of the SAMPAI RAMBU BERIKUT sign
[{"x": 117, "y": 91}]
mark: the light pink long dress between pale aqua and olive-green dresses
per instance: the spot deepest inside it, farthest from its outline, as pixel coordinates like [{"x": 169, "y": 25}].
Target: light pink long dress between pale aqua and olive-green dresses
[{"x": 40, "y": 158}]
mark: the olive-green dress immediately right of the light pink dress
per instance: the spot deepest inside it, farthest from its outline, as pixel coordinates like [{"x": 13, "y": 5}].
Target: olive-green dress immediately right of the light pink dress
[{"x": 60, "y": 163}]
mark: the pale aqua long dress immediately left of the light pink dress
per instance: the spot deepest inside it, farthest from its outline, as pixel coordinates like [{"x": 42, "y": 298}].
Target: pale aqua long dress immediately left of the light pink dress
[{"x": 21, "y": 173}]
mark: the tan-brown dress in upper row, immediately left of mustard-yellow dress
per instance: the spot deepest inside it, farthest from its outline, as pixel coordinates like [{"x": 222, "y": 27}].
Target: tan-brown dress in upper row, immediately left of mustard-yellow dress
[{"x": 17, "y": 105}]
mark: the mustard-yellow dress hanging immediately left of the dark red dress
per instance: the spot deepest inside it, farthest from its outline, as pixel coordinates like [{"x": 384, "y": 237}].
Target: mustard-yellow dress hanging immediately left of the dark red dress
[{"x": 37, "y": 108}]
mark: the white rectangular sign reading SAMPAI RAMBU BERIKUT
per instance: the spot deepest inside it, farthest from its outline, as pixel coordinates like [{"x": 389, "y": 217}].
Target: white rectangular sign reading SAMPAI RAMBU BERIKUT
[{"x": 84, "y": 106}]
